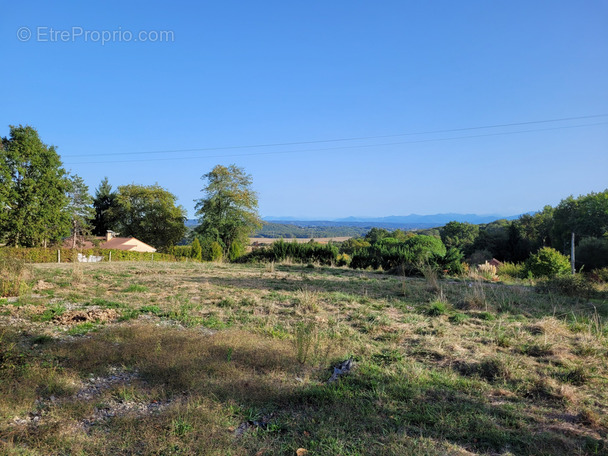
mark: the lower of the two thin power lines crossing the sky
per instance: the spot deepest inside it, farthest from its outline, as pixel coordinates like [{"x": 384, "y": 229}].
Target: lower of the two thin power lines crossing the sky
[{"x": 337, "y": 148}]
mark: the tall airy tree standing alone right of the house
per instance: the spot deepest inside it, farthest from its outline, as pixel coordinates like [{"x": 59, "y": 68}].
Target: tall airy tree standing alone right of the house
[{"x": 228, "y": 210}]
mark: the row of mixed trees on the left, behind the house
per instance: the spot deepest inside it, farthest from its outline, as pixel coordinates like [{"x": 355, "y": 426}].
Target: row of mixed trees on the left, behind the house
[{"x": 41, "y": 204}]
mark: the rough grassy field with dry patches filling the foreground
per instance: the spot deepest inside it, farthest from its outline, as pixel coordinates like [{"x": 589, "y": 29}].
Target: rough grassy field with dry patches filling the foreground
[{"x": 190, "y": 358}]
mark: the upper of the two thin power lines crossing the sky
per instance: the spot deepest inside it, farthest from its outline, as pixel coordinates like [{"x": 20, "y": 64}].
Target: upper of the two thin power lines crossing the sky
[{"x": 251, "y": 146}]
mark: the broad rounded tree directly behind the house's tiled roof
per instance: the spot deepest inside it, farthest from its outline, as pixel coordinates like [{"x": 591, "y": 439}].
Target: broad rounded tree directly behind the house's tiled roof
[{"x": 150, "y": 214}]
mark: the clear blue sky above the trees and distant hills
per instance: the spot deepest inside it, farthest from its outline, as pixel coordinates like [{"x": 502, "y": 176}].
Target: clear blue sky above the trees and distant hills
[{"x": 399, "y": 73}]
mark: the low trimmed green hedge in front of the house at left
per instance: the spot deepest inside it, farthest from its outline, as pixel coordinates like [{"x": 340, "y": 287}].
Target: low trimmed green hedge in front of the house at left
[{"x": 49, "y": 255}]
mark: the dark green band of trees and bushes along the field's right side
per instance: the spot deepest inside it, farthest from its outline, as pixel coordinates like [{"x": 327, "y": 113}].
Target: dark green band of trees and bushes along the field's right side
[{"x": 533, "y": 245}]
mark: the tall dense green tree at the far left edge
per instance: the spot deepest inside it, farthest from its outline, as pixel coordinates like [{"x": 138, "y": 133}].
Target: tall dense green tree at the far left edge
[{"x": 33, "y": 190}]
